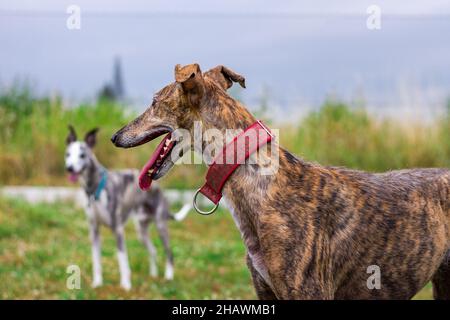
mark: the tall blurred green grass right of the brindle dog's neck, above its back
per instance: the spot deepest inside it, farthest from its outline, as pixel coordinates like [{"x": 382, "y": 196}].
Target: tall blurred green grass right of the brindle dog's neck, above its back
[{"x": 339, "y": 135}]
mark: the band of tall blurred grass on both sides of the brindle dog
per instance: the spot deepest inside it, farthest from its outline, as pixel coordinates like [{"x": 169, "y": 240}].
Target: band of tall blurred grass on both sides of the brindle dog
[{"x": 33, "y": 131}]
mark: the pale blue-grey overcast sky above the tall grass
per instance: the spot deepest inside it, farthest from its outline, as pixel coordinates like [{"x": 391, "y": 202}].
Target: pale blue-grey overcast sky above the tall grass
[{"x": 301, "y": 51}]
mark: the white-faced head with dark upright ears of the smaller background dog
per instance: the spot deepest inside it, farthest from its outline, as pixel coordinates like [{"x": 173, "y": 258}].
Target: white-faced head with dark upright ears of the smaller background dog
[{"x": 79, "y": 153}]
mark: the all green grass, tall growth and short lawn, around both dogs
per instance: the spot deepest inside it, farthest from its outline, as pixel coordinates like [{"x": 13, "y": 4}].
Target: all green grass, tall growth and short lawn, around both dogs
[{"x": 37, "y": 243}]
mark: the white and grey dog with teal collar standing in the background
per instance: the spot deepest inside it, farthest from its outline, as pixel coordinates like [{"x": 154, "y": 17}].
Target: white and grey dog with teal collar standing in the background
[{"x": 114, "y": 196}]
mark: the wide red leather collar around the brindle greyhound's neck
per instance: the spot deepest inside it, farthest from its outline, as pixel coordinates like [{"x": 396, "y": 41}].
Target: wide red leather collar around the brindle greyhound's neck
[{"x": 233, "y": 154}]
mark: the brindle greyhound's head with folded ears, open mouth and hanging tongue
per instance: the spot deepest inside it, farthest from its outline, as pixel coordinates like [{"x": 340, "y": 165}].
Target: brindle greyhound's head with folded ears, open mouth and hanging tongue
[{"x": 194, "y": 96}]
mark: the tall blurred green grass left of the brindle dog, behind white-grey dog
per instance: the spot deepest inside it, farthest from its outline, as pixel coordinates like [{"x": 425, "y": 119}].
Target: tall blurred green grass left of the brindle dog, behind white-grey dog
[{"x": 33, "y": 133}]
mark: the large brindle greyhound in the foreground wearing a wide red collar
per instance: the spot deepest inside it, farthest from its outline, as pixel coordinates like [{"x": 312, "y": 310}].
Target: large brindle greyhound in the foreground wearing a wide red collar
[{"x": 313, "y": 232}]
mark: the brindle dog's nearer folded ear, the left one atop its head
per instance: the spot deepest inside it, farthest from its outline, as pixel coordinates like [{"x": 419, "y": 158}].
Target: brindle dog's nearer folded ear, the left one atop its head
[{"x": 191, "y": 79}]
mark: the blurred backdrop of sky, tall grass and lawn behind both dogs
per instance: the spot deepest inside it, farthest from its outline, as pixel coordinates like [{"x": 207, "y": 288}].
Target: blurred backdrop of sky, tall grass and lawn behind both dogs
[{"x": 340, "y": 92}]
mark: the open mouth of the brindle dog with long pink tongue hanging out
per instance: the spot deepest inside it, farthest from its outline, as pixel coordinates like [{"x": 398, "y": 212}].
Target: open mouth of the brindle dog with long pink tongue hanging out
[{"x": 157, "y": 165}]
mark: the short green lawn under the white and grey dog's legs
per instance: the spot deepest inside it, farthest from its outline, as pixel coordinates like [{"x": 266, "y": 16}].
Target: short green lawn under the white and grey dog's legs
[{"x": 37, "y": 243}]
